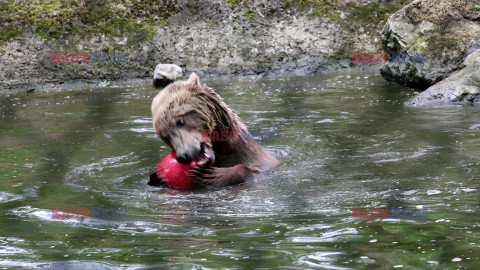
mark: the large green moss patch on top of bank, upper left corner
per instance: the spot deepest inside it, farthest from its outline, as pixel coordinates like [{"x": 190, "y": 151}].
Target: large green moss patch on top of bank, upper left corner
[{"x": 58, "y": 20}]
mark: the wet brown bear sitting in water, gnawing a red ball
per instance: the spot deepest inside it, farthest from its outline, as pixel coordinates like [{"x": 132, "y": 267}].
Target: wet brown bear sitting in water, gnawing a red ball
[{"x": 185, "y": 115}]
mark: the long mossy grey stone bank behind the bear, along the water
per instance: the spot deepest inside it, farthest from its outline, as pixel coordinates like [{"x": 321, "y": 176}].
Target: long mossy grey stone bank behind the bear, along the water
[{"x": 212, "y": 38}]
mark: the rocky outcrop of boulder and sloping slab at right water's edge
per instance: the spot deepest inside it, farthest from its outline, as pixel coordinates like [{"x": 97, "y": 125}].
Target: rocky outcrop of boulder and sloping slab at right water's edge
[{"x": 448, "y": 31}]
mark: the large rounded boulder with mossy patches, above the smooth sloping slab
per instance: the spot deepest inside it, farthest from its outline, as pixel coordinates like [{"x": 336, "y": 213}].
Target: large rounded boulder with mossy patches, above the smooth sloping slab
[{"x": 446, "y": 30}]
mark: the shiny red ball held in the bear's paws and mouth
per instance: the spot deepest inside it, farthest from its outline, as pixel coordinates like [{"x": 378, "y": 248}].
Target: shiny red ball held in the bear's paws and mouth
[{"x": 177, "y": 173}]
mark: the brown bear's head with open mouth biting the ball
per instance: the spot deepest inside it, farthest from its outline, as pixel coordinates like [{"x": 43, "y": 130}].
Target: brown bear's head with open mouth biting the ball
[{"x": 183, "y": 111}]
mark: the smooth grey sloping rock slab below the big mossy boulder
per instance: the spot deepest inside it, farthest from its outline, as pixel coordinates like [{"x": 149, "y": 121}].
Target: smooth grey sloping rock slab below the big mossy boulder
[{"x": 463, "y": 86}]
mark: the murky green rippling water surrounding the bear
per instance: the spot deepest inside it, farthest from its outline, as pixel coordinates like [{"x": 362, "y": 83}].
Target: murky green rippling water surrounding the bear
[{"x": 345, "y": 139}]
